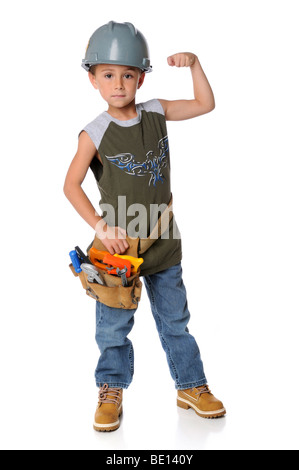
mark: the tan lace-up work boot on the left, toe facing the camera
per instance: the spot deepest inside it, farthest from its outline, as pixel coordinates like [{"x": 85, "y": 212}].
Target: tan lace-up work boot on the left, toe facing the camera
[{"x": 109, "y": 409}]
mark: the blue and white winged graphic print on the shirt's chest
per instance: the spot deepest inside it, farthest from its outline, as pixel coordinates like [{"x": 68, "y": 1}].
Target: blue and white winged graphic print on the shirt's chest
[{"x": 152, "y": 166}]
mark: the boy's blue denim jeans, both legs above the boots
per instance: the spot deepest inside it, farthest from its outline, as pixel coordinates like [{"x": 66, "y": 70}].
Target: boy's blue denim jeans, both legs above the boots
[{"x": 167, "y": 295}]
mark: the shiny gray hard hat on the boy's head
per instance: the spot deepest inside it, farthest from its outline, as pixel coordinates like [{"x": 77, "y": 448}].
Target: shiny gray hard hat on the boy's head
[{"x": 118, "y": 44}]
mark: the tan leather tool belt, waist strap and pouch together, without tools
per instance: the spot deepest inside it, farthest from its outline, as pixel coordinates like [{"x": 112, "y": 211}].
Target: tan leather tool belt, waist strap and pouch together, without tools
[{"x": 113, "y": 293}]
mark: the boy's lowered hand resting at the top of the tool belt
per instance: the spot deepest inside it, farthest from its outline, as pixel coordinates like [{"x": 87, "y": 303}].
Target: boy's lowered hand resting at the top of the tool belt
[{"x": 113, "y": 238}]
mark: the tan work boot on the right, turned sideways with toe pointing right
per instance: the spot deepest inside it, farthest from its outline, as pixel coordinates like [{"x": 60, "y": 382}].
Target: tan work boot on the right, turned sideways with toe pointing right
[{"x": 202, "y": 401}]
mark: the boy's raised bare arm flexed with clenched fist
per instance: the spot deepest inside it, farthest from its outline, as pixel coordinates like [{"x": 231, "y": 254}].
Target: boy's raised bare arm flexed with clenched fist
[{"x": 203, "y": 101}]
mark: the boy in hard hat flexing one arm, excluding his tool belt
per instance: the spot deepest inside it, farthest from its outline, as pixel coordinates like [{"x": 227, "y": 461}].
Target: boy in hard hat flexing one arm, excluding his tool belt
[{"x": 127, "y": 149}]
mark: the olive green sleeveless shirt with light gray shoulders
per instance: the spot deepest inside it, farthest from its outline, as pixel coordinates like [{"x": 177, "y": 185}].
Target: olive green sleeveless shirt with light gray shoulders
[{"x": 134, "y": 179}]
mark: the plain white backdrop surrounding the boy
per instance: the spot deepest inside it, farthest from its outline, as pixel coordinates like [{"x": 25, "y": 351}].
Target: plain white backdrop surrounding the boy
[{"x": 235, "y": 169}]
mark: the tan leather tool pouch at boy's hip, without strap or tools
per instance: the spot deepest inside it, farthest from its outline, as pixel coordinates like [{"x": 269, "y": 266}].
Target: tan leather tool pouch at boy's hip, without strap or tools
[{"x": 114, "y": 294}]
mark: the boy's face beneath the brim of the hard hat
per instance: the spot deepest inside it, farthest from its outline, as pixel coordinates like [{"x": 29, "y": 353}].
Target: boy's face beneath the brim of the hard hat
[{"x": 117, "y": 84}]
